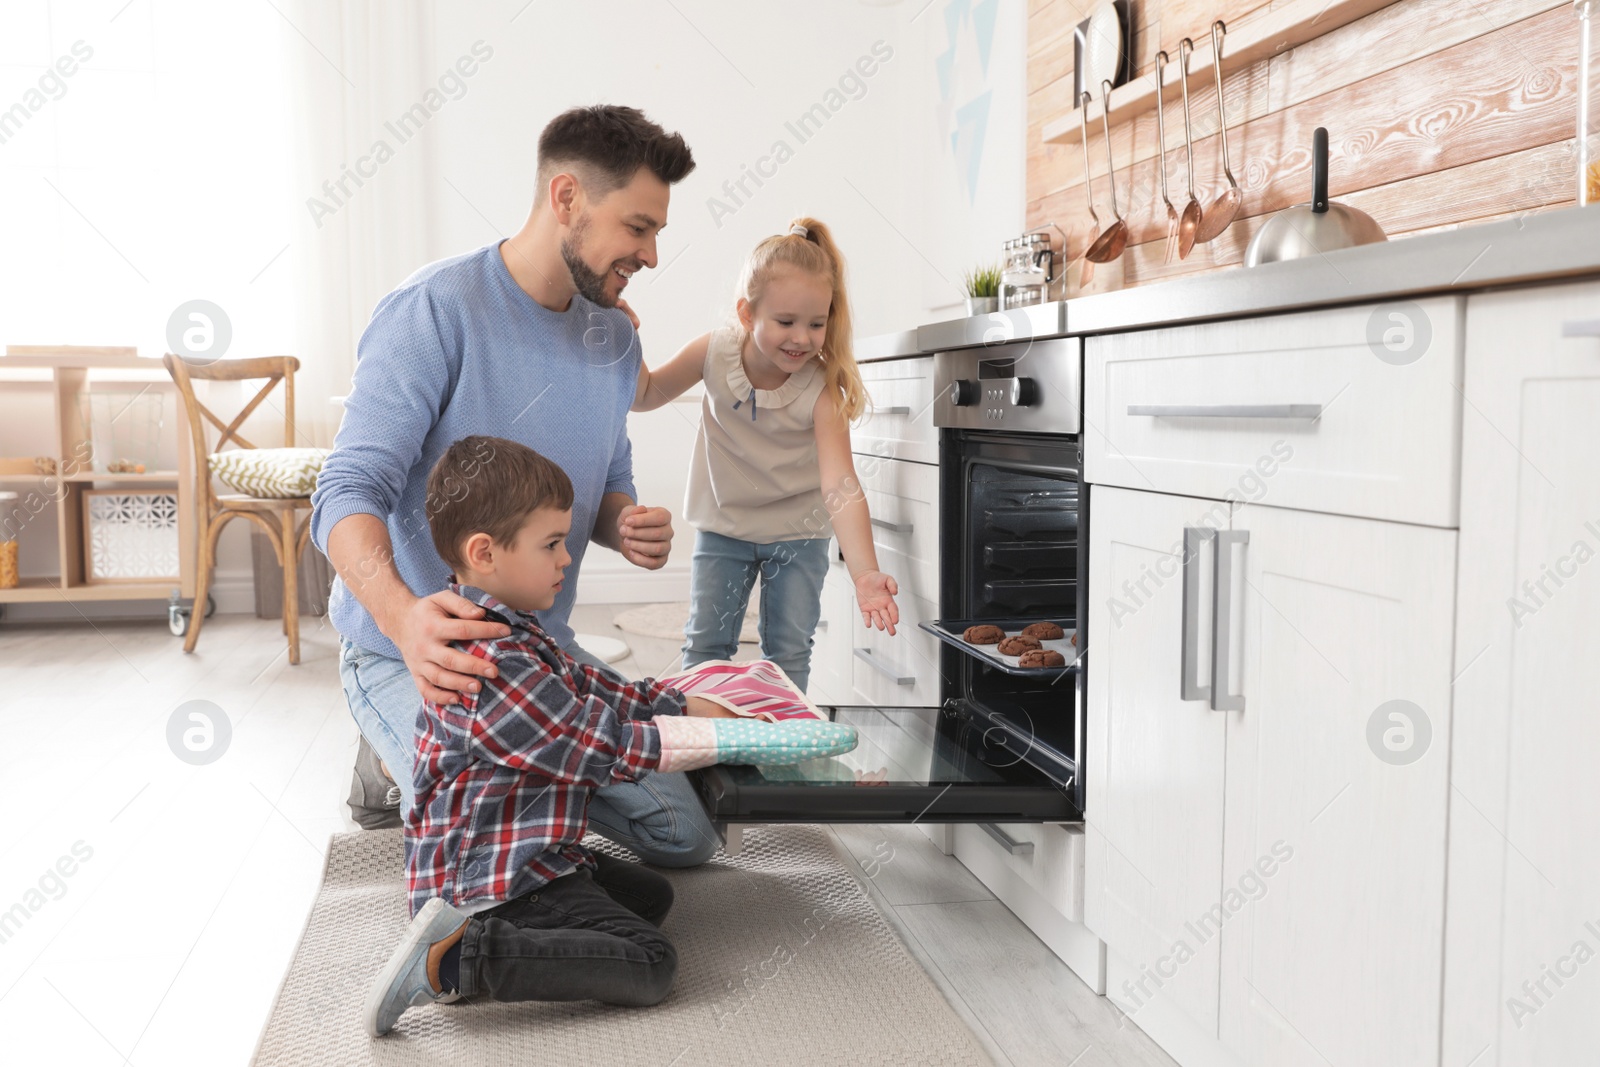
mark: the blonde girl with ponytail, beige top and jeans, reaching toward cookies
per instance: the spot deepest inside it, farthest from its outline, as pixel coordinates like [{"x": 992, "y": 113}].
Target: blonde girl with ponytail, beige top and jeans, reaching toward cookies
[{"x": 772, "y": 473}]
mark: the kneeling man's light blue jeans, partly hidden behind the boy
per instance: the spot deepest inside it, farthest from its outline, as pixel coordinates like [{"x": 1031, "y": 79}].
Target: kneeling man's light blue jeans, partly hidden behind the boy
[{"x": 658, "y": 817}]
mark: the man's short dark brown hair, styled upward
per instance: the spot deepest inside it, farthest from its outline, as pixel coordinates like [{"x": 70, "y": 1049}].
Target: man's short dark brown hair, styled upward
[{"x": 609, "y": 145}]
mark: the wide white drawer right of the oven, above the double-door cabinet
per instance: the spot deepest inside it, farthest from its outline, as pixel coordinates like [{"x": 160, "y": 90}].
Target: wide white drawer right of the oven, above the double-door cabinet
[{"x": 1300, "y": 412}]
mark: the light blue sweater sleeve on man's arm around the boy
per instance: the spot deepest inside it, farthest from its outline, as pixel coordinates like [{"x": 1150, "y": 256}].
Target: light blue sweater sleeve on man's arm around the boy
[{"x": 402, "y": 383}]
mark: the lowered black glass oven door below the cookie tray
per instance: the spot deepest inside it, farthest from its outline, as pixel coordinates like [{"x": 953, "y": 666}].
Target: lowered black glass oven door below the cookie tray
[{"x": 913, "y": 765}]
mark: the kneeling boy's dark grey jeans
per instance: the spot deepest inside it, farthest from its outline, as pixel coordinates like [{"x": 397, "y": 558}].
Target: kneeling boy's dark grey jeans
[{"x": 585, "y": 937}]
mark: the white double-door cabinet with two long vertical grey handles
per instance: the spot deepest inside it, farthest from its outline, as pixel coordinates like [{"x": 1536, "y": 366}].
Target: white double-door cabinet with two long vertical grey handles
[{"x": 1268, "y": 885}]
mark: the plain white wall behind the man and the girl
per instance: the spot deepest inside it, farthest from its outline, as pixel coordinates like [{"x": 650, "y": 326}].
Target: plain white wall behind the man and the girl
[{"x": 730, "y": 76}]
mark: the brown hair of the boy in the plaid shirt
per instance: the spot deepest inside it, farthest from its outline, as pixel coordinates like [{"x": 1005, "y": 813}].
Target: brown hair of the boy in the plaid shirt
[{"x": 490, "y": 486}]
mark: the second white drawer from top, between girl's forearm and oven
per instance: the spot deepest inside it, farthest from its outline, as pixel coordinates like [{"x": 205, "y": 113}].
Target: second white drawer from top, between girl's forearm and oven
[{"x": 905, "y": 503}]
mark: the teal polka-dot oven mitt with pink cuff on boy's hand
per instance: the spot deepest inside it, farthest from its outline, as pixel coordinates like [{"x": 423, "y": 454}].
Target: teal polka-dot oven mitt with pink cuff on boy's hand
[{"x": 689, "y": 741}]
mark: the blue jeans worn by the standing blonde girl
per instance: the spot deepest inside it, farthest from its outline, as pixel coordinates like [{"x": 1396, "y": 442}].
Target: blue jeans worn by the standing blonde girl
[{"x": 722, "y": 573}]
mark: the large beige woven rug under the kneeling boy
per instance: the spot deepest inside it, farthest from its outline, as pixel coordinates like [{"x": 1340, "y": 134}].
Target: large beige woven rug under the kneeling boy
[{"x": 783, "y": 959}]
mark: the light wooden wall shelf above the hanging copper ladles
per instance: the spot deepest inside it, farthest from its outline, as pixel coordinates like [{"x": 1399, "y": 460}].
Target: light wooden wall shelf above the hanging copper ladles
[{"x": 1249, "y": 41}]
